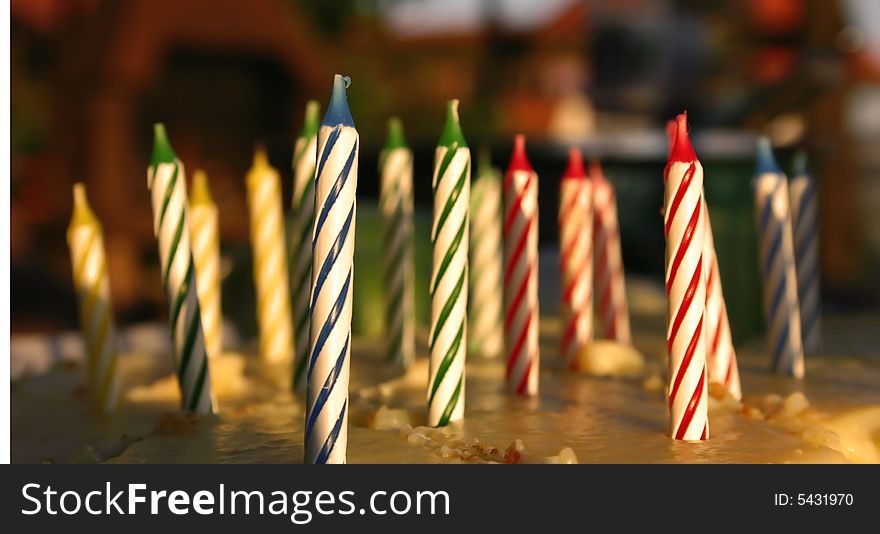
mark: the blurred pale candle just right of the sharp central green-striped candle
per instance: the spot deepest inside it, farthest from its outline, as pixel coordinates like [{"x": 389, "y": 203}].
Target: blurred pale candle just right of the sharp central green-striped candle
[{"x": 485, "y": 301}]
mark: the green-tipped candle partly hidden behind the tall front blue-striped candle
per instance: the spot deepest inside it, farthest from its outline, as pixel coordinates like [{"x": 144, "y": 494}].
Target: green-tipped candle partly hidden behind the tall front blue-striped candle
[{"x": 305, "y": 155}]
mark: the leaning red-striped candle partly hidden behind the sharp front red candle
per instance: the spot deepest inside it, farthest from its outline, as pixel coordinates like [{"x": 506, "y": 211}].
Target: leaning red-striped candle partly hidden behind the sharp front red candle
[{"x": 720, "y": 354}]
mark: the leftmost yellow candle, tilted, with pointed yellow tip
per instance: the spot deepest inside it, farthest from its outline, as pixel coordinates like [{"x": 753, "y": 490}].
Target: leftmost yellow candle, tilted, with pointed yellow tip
[{"x": 91, "y": 281}]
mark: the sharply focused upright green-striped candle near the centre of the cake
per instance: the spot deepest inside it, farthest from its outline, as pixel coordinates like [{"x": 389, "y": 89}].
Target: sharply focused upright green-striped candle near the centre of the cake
[{"x": 449, "y": 236}]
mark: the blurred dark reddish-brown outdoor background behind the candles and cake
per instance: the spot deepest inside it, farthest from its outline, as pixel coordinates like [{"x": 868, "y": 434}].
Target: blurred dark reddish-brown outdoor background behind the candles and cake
[{"x": 90, "y": 77}]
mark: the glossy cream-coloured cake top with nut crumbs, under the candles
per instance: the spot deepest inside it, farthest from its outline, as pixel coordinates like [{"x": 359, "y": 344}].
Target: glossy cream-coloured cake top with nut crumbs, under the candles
[{"x": 611, "y": 411}]
